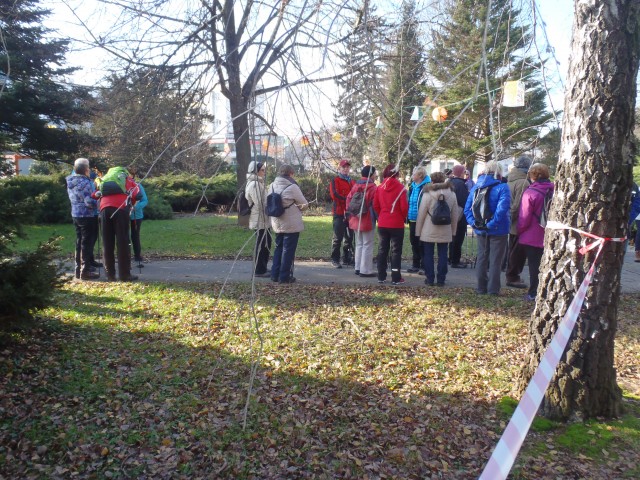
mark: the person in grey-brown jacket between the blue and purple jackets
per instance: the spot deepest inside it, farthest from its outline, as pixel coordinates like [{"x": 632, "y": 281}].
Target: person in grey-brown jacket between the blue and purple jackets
[{"x": 516, "y": 255}]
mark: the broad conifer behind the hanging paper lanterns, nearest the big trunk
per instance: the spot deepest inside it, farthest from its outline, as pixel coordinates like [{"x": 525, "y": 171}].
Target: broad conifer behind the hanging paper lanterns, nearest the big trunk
[{"x": 458, "y": 73}]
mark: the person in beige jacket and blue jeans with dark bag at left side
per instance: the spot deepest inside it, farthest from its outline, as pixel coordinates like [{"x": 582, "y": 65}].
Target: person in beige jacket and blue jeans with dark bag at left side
[{"x": 288, "y": 226}]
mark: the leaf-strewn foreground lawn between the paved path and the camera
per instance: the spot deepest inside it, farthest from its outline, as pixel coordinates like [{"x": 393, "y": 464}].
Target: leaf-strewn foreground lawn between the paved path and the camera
[{"x": 151, "y": 381}]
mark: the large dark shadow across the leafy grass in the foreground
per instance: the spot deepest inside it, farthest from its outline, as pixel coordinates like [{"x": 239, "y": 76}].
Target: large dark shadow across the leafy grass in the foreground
[{"x": 86, "y": 401}]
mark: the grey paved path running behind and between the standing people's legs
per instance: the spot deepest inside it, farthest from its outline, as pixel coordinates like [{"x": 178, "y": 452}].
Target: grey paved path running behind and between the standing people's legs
[{"x": 323, "y": 273}]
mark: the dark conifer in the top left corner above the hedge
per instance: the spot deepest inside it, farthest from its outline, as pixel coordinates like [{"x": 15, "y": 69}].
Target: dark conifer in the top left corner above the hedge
[{"x": 39, "y": 113}]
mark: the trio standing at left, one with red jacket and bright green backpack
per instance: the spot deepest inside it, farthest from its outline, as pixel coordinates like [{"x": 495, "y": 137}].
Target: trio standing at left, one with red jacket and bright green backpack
[{"x": 112, "y": 204}]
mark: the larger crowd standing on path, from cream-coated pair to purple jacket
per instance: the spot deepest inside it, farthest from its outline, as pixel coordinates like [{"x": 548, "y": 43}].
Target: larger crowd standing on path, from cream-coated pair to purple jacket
[{"x": 361, "y": 207}]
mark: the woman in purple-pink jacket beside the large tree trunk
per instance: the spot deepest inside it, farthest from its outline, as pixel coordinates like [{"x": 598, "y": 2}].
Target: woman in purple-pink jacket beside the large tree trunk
[{"x": 530, "y": 233}]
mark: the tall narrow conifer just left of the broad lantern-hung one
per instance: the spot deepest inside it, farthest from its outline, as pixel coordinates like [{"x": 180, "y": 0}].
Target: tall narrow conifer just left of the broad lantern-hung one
[{"x": 406, "y": 80}]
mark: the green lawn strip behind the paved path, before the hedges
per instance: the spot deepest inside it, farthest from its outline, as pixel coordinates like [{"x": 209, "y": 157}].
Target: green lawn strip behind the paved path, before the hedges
[{"x": 210, "y": 236}]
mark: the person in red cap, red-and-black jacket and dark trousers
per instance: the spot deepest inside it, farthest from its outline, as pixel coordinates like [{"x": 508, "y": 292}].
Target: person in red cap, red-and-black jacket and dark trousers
[{"x": 339, "y": 189}]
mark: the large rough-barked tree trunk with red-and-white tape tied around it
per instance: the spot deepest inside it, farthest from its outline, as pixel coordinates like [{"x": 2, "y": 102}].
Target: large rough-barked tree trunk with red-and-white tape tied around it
[{"x": 592, "y": 194}]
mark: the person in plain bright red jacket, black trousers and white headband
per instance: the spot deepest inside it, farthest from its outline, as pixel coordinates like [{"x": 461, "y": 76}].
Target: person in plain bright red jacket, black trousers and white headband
[{"x": 391, "y": 207}]
